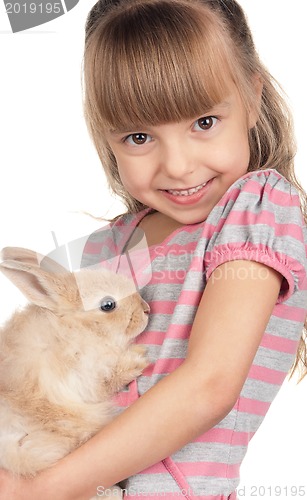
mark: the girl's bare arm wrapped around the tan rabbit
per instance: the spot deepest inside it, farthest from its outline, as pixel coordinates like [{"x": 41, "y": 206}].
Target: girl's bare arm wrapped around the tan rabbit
[{"x": 226, "y": 333}]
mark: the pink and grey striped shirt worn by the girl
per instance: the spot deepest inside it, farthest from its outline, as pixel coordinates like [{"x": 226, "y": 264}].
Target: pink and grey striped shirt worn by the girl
[{"x": 258, "y": 219}]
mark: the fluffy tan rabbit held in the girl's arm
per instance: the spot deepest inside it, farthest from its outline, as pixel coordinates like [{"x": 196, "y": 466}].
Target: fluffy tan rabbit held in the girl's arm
[{"x": 63, "y": 357}]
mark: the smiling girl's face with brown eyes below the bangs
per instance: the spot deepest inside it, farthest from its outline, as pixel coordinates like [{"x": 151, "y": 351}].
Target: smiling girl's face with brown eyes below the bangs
[{"x": 183, "y": 169}]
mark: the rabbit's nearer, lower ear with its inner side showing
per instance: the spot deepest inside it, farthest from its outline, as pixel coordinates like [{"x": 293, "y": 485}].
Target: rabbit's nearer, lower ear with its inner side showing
[{"x": 37, "y": 285}]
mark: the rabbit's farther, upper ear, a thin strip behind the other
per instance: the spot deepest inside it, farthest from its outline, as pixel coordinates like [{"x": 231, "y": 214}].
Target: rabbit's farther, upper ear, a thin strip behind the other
[{"x": 29, "y": 257}]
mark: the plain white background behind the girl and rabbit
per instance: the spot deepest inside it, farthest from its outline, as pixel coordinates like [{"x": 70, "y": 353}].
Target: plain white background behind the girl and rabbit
[{"x": 50, "y": 174}]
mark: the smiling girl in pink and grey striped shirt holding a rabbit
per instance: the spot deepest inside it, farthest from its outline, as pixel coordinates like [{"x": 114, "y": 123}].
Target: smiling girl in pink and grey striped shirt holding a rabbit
[{"x": 197, "y": 141}]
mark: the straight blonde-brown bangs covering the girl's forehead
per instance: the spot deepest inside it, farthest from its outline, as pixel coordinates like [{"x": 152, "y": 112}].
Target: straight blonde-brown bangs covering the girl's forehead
[{"x": 159, "y": 63}]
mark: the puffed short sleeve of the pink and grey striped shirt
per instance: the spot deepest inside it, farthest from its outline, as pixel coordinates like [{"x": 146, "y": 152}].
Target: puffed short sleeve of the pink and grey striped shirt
[{"x": 260, "y": 219}]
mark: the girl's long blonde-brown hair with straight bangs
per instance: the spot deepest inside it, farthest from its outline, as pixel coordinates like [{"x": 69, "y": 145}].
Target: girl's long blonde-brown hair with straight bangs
[{"x": 159, "y": 61}]
